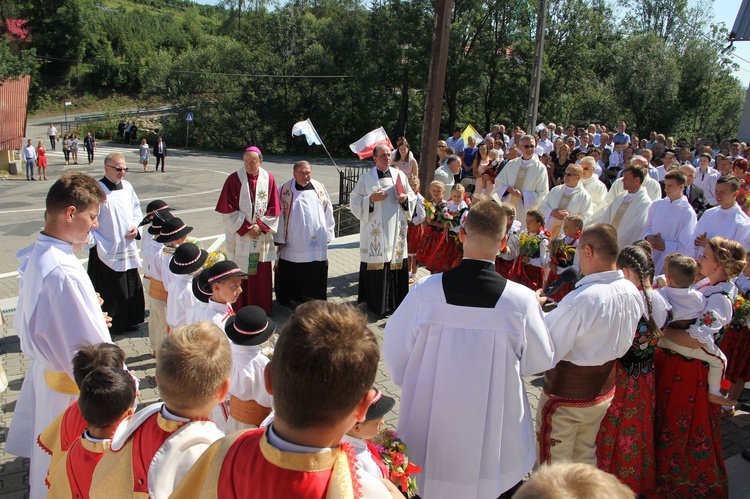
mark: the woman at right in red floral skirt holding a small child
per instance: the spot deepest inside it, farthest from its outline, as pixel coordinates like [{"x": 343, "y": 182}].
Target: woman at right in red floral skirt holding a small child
[{"x": 689, "y": 459}]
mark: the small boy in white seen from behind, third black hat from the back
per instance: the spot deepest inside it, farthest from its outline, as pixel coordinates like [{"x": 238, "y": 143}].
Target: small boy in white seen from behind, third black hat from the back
[{"x": 185, "y": 264}]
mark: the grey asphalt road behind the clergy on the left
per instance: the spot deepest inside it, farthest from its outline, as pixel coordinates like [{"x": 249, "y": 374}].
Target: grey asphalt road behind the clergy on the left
[{"x": 191, "y": 186}]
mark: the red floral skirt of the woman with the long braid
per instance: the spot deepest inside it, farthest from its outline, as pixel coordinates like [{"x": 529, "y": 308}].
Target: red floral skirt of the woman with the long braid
[{"x": 625, "y": 444}]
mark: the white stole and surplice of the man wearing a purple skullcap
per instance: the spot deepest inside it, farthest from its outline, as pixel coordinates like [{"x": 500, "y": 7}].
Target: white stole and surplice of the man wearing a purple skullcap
[{"x": 246, "y": 251}]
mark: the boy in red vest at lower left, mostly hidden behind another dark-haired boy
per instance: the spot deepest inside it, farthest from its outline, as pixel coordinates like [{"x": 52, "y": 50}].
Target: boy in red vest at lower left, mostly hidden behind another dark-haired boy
[{"x": 58, "y": 437}]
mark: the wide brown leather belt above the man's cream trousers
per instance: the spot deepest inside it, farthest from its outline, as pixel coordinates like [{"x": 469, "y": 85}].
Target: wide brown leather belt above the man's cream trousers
[{"x": 572, "y": 381}]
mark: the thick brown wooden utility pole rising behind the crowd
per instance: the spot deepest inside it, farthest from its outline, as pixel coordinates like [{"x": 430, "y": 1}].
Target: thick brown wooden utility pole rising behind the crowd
[{"x": 435, "y": 88}]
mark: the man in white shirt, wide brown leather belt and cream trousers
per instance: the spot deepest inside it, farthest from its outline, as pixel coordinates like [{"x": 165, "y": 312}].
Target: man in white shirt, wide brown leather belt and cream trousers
[{"x": 591, "y": 327}]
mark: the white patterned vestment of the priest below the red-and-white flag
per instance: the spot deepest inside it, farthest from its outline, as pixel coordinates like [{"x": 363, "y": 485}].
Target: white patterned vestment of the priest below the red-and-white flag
[{"x": 382, "y": 231}]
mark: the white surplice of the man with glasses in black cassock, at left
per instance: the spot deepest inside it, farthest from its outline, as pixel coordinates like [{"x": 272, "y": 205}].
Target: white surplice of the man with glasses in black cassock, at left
[{"x": 117, "y": 215}]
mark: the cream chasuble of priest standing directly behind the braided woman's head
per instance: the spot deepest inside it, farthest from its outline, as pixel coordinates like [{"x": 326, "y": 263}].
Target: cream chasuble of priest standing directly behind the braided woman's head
[{"x": 628, "y": 217}]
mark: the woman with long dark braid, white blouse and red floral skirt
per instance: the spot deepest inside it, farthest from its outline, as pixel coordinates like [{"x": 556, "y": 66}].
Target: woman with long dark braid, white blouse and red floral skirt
[{"x": 625, "y": 444}]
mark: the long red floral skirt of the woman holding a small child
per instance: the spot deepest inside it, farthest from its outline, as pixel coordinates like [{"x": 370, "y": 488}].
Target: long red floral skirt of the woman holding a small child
[{"x": 689, "y": 461}]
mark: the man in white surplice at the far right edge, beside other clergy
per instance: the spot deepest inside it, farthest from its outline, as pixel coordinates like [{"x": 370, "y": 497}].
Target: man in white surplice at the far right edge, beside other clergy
[{"x": 726, "y": 220}]
